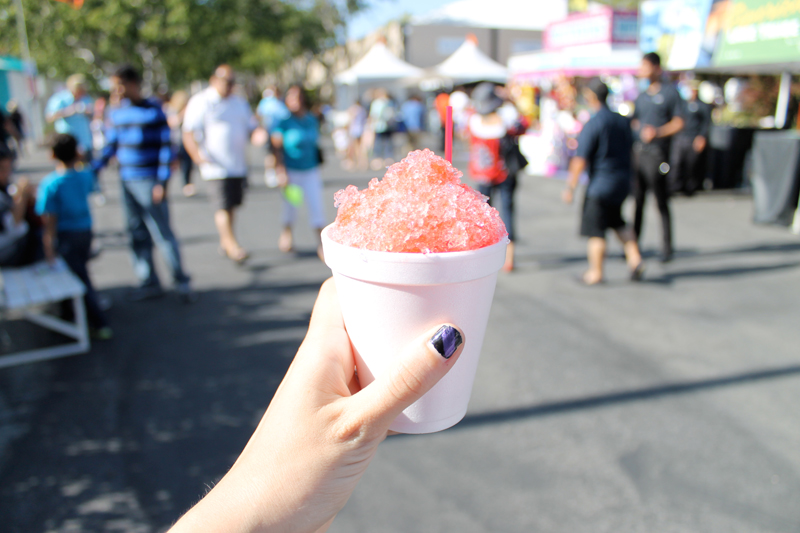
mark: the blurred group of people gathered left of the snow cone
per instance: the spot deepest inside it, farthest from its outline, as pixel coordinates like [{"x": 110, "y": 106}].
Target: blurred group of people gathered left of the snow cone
[{"x": 148, "y": 138}]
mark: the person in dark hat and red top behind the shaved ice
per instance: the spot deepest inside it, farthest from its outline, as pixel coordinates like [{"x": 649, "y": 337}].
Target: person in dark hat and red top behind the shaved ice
[{"x": 488, "y": 164}]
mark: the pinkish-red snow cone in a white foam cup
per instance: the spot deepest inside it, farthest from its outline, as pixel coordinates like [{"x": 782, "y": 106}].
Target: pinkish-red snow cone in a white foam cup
[{"x": 412, "y": 251}]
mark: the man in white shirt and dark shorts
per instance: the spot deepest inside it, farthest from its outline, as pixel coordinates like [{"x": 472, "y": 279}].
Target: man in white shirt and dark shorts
[{"x": 217, "y": 126}]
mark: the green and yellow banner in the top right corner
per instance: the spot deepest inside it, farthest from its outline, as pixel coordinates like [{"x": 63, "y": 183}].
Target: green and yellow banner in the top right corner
[{"x": 758, "y": 32}]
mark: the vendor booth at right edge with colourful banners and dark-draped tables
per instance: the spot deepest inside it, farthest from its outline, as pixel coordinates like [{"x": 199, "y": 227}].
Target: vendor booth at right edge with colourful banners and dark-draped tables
[{"x": 744, "y": 45}]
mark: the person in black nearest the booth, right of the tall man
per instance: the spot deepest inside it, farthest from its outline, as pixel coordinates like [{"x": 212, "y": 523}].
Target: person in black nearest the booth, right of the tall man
[{"x": 689, "y": 150}]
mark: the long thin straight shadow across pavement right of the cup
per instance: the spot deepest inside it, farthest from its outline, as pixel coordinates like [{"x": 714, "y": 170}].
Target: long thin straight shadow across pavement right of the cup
[{"x": 616, "y": 398}]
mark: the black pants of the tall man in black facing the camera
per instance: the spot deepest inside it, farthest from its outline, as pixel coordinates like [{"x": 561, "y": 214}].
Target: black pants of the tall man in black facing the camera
[{"x": 648, "y": 174}]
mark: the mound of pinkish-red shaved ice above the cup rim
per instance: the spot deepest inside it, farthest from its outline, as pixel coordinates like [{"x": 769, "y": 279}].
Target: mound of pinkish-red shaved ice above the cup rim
[{"x": 420, "y": 206}]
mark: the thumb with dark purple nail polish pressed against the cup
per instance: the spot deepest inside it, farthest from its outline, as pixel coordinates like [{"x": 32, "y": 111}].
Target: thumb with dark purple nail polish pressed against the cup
[{"x": 420, "y": 366}]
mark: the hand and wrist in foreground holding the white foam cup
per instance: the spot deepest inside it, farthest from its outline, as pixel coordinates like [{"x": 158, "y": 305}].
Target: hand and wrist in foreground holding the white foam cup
[{"x": 318, "y": 435}]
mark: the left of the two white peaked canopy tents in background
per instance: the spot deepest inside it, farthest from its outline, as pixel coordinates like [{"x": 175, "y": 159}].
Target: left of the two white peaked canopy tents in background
[{"x": 378, "y": 68}]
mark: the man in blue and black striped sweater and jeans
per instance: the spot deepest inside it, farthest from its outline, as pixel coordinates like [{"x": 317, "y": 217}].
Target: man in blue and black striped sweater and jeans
[{"x": 139, "y": 136}]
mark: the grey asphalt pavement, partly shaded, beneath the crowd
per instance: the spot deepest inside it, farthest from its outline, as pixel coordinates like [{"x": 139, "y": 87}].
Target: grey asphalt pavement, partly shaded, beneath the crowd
[{"x": 669, "y": 406}]
